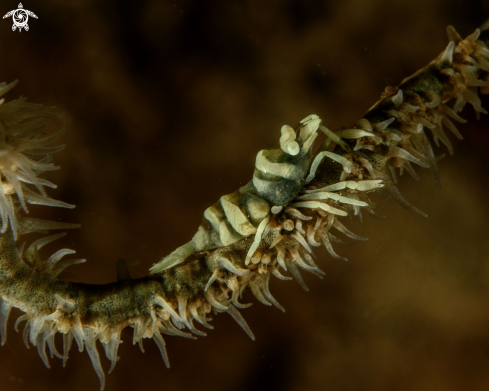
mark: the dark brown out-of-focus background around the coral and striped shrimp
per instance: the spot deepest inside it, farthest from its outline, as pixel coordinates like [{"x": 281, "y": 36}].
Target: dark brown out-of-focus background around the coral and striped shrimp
[{"x": 166, "y": 104}]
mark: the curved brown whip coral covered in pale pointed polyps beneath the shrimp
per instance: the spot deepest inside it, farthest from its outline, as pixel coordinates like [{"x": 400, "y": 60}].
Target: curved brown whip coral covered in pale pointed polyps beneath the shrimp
[{"x": 391, "y": 135}]
